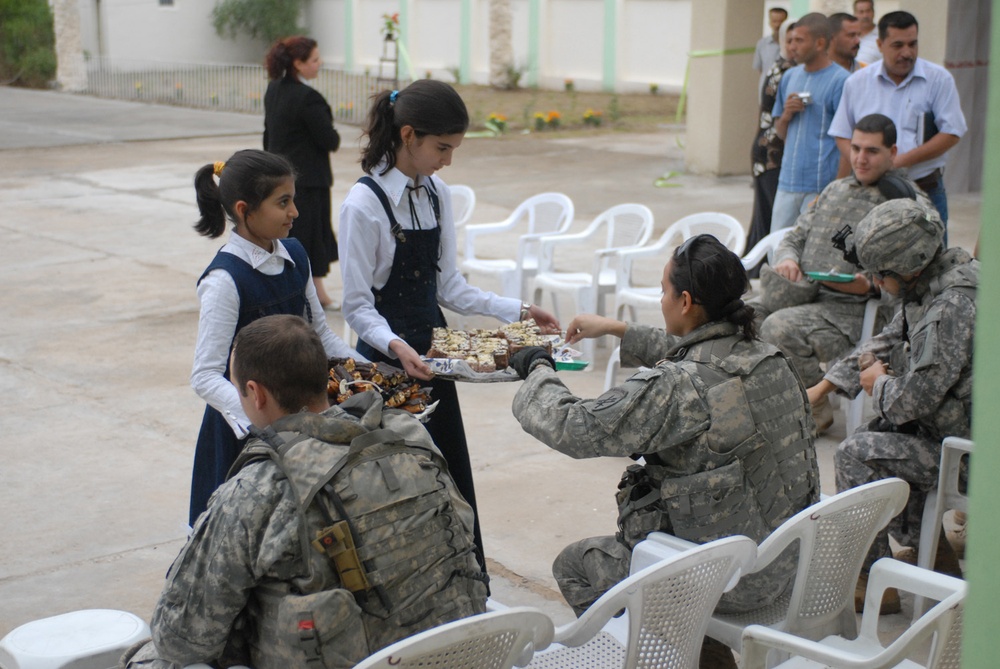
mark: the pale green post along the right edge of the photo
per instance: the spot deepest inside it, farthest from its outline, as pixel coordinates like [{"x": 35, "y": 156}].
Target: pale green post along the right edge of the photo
[{"x": 979, "y": 645}]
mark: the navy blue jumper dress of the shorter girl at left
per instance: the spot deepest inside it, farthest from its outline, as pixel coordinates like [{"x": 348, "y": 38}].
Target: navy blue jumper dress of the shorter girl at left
[{"x": 260, "y": 295}]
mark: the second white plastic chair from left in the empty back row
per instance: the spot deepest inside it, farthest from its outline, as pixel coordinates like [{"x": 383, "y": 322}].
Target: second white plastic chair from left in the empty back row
[{"x": 539, "y": 215}]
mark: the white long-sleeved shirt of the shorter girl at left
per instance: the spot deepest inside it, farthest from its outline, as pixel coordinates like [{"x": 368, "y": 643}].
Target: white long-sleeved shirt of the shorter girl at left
[{"x": 220, "y": 310}]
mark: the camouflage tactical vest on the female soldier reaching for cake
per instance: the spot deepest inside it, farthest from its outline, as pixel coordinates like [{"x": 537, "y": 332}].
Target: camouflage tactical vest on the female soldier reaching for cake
[{"x": 752, "y": 482}]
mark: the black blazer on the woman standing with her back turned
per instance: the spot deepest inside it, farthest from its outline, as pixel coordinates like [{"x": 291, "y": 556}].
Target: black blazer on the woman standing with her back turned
[{"x": 298, "y": 125}]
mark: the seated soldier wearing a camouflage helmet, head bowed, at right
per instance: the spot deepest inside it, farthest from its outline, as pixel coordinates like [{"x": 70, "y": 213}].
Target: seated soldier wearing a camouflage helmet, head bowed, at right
[{"x": 921, "y": 378}]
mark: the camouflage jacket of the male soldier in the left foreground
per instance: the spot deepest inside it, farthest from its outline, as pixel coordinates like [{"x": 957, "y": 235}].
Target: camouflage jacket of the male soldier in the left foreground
[{"x": 246, "y": 572}]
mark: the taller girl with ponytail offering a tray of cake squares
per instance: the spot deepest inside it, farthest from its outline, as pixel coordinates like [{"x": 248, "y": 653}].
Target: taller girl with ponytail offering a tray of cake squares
[{"x": 398, "y": 251}]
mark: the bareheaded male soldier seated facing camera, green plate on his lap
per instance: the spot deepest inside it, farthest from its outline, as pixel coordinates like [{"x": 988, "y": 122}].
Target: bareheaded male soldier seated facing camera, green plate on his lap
[{"x": 814, "y": 323}]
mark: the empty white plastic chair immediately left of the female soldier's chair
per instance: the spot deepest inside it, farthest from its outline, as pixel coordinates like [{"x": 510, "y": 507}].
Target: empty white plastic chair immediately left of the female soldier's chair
[{"x": 667, "y": 607}]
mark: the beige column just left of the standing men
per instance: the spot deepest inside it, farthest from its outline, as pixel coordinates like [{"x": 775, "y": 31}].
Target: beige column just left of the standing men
[{"x": 722, "y": 96}]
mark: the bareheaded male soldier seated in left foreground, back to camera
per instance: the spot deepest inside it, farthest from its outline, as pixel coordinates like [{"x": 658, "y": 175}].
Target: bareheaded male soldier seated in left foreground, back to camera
[{"x": 242, "y": 586}]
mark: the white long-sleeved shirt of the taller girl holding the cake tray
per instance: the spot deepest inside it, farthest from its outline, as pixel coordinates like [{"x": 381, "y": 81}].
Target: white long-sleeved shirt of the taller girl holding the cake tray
[{"x": 367, "y": 249}]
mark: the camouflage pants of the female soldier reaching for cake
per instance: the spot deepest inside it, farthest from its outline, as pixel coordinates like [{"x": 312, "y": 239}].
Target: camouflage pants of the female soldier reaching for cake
[{"x": 587, "y": 569}]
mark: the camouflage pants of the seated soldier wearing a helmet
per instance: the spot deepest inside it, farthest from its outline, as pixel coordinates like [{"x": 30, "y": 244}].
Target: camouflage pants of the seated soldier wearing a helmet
[{"x": 868, "y": 456}]
